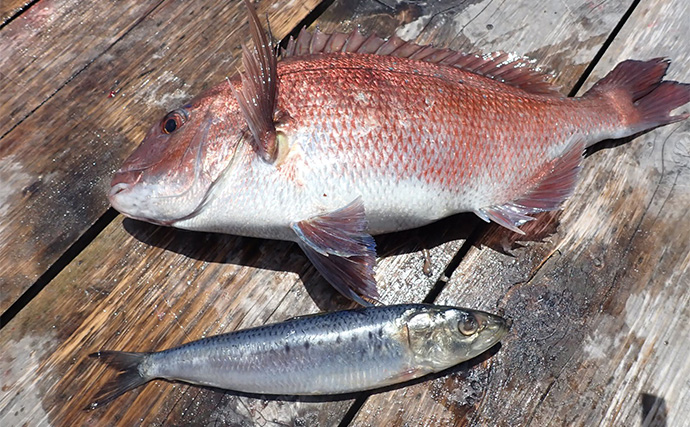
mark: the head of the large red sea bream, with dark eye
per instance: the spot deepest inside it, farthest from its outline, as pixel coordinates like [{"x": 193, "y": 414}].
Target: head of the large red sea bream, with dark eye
[{"x": 167, "y": 178}]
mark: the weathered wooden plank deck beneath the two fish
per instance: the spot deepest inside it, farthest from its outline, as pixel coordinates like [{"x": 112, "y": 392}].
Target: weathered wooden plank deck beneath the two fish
[{"x": 598, "y": 297}]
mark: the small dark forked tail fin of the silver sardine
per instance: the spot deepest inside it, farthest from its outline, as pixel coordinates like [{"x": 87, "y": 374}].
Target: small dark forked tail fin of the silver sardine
[{"x": 129, "y": 378}]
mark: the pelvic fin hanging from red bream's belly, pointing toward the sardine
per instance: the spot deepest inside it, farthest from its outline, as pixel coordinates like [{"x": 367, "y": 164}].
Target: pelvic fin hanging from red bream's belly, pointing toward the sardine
[{"x": 340, "y": 248}]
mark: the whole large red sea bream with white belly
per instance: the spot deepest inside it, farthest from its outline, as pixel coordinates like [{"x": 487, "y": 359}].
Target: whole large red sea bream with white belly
[{"x": 350, "y": 136}]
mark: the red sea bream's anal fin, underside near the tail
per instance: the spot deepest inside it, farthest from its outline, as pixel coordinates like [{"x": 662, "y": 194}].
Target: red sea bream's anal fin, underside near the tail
[{"x": 554, "y": 184}]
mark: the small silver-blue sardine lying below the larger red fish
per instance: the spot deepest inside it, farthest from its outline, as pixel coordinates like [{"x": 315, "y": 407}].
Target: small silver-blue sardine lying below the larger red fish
[{"x": 332, "y": 353}]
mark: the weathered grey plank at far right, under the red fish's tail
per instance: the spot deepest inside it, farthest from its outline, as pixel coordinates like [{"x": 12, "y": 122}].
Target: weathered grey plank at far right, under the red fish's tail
[{"x": 600, "y": 308}]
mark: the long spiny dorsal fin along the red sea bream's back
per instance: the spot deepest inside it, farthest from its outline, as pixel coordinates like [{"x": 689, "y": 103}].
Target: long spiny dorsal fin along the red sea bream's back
[{"x": 504, "y": 67}]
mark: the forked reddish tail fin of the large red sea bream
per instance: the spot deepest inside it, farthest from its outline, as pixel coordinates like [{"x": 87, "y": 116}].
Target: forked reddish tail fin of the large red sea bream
[{"x": 637, "y": 88}]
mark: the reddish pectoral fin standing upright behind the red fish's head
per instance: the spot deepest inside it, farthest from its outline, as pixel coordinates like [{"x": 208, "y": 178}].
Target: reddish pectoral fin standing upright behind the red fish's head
[{"x": 257, "y": 98}]
